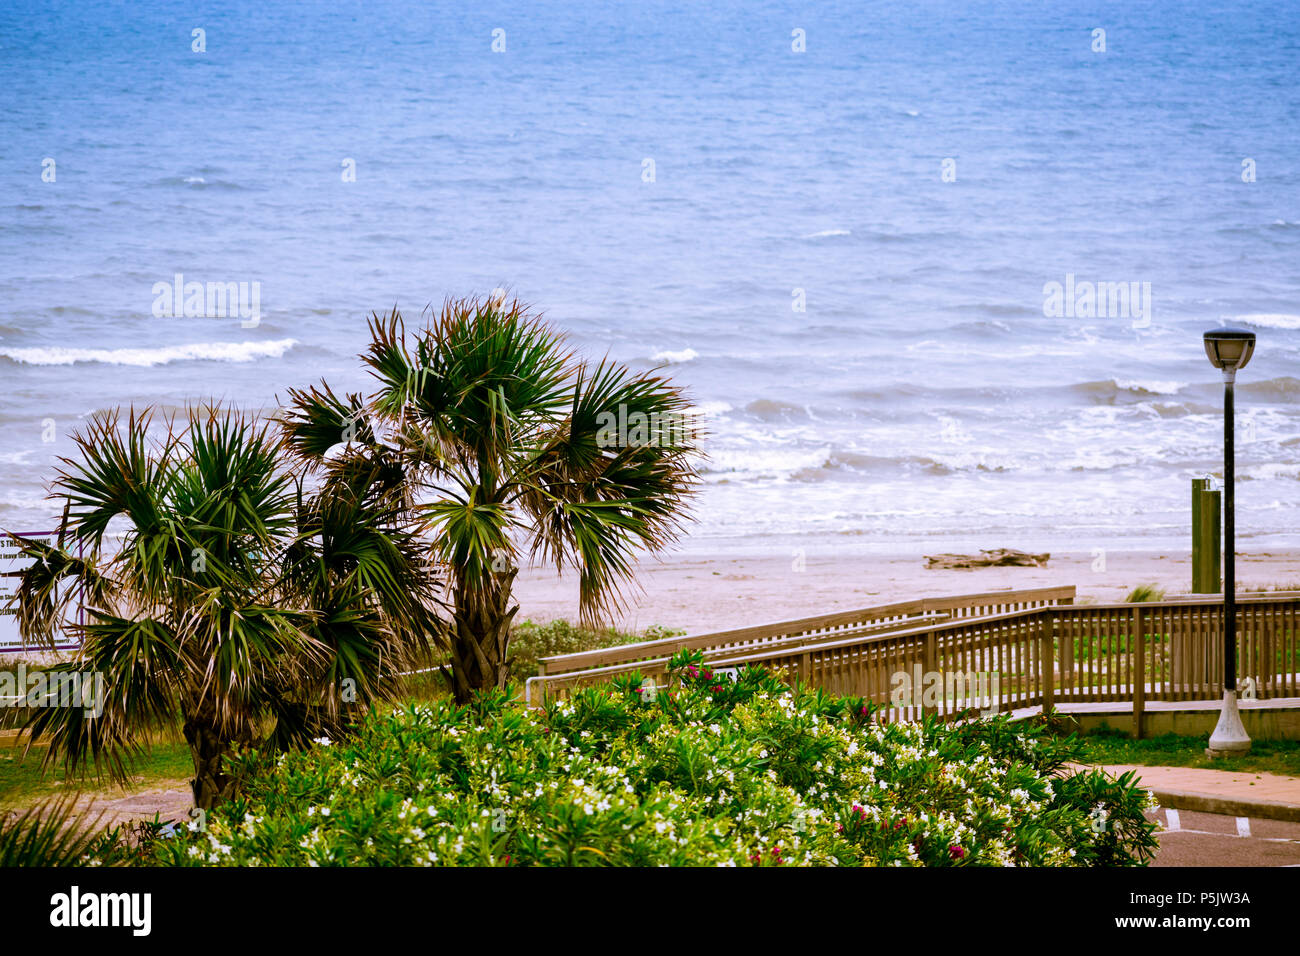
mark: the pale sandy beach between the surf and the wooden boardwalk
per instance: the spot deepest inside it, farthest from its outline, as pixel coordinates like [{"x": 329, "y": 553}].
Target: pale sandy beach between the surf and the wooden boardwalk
[{"x": 705, "y": 594}]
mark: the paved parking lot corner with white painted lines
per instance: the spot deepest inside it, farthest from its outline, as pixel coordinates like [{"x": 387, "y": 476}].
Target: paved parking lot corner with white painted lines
[{"x": 1211, "y": 840}]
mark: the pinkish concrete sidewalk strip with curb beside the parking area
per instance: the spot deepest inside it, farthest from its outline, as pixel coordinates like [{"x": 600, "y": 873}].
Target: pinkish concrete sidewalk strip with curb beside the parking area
[{"x": 1232, "y": 793}]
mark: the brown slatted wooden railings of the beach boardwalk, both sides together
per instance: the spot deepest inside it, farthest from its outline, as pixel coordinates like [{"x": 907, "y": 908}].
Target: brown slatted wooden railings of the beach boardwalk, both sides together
[{"x": 976, "y": 655}]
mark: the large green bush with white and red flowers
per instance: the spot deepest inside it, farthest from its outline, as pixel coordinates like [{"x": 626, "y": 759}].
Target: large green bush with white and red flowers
[{"x": 705, "y": 772}]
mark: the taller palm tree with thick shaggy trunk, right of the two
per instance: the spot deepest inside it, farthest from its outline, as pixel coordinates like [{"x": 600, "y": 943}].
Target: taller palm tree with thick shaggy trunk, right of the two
[{"x": 501, "y": 443}]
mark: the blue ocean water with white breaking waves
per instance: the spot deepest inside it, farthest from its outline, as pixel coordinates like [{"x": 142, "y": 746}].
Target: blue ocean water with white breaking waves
[{"x": 844, "y": 253}]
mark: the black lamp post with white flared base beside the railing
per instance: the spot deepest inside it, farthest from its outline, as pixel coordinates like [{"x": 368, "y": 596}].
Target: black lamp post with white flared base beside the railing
[{"x": 1229, "y": 351}]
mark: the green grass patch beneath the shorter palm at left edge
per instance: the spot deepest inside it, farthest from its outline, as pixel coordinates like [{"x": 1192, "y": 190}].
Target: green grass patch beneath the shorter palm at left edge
[{"x": 23, "y": 782}]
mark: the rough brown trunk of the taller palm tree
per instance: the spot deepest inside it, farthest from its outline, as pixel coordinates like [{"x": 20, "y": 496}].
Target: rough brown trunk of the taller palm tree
[{"x": 482, "y": 637}]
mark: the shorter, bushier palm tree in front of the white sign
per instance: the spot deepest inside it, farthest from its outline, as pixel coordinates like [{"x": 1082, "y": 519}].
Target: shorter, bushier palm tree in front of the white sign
[{"x": 240, "y": 600}]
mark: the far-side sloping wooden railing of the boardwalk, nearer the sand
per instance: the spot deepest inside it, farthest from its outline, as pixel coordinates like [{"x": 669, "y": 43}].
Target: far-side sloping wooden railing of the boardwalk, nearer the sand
[{"x": 560, "y": 674}]
